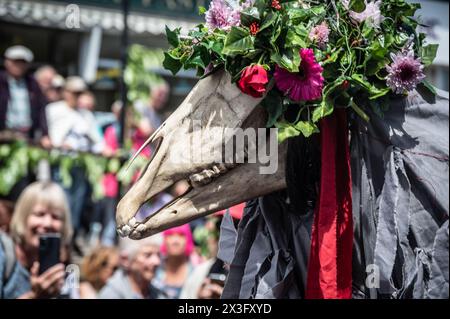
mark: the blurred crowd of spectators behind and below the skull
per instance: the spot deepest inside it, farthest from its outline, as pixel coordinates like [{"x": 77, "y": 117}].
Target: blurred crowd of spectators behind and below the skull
[{"x": 57, "y": 112}]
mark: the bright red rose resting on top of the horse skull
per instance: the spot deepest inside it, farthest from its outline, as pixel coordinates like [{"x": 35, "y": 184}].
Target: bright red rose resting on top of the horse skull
[{"x": 253, "y": 81}]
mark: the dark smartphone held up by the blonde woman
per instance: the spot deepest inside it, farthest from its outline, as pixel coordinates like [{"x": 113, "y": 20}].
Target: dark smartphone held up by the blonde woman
[{"x": 49, "y": 250}]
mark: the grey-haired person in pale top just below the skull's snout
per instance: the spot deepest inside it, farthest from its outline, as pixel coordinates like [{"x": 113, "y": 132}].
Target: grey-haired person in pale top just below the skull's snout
[{"x": 140, "y": 260}]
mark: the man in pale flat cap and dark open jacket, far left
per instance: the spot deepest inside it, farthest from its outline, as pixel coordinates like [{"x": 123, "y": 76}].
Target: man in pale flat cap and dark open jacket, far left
[{"x": 22, "y": 104}]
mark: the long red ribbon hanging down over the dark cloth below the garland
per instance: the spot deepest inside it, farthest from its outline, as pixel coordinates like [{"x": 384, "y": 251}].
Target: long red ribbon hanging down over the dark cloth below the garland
[{"x": 330, "y": 260}]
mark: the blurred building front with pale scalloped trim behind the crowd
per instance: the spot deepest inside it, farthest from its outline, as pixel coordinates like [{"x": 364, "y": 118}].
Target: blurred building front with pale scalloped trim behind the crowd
[{"x": 84, "y": 37}]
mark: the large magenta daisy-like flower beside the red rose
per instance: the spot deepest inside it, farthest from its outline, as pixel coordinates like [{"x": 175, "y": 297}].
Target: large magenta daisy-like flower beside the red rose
[{"x": 305, "y": 85}]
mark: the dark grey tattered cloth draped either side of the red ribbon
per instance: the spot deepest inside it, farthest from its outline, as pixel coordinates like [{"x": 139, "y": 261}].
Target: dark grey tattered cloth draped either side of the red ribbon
[{"x": 400, "y": 174}]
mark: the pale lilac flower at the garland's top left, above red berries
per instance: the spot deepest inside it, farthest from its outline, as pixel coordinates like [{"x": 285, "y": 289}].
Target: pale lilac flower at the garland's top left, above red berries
[{"x": 222, "y": 15}]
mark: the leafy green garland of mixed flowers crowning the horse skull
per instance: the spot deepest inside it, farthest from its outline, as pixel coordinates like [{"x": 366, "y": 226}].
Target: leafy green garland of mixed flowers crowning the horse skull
[{"x": 318, "y": 54}]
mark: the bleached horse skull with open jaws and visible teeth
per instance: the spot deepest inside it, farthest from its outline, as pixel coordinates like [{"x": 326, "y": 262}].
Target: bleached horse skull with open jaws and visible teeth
[{"x": 218, "y": 107}]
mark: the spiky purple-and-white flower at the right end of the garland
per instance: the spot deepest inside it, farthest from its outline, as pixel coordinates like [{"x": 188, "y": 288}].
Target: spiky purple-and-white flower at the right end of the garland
[{"x": 405, "y": 72}]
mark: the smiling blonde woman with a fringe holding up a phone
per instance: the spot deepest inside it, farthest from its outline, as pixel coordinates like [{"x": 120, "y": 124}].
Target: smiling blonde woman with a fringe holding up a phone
[{"x": 42, "y": 208}]
